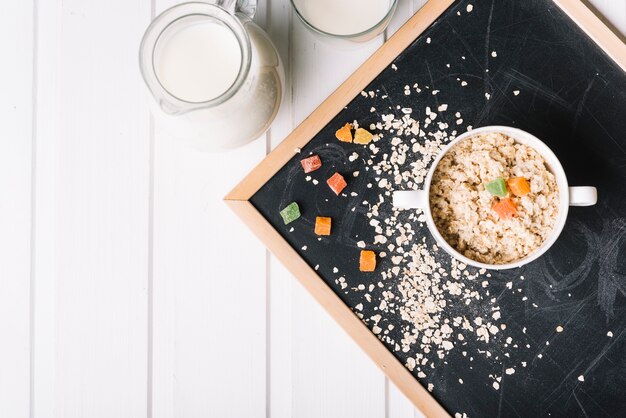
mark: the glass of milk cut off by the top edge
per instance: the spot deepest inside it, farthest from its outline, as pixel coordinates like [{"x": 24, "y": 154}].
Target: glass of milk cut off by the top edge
[{"x": 353, "y": 20}]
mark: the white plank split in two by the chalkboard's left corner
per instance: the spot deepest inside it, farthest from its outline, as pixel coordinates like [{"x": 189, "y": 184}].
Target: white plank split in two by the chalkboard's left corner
[{"x": 310, "y": 375}]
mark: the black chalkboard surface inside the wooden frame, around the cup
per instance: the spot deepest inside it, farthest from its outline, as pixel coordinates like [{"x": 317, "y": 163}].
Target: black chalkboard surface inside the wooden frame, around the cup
[{"x": 504, "y": 62}]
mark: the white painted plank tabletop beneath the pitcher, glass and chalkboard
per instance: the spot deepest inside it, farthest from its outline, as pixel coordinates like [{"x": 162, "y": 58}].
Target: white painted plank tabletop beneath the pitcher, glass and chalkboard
[{"x": 118, "y": 297}]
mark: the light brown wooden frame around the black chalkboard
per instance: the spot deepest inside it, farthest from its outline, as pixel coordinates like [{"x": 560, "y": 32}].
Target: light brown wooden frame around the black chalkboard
[{"x": 239, "y": 198}]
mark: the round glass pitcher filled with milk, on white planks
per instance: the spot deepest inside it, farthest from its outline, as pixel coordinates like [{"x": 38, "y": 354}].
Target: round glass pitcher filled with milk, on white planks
[{"x": 215, "y": 77}]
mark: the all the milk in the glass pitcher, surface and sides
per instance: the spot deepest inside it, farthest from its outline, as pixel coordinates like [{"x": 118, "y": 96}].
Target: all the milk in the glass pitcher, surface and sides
[{"x": 200, "y": 61}]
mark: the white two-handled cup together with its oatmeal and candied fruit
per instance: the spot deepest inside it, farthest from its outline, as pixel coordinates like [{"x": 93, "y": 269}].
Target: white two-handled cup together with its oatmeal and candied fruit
[{"x": 496, "y": 197}]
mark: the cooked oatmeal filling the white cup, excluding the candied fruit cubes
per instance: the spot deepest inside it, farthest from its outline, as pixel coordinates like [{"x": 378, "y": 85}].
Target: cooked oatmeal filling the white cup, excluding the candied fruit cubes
[{"x": 465, "y": 212}]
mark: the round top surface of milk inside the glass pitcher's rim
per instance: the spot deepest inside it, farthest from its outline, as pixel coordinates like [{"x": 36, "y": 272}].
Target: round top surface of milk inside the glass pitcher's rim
[{"x": 198, "y": 62}]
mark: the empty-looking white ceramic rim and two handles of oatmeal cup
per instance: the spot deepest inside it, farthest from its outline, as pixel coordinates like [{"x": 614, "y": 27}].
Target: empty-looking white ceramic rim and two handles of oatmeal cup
[{"x": 568, "y": 196}]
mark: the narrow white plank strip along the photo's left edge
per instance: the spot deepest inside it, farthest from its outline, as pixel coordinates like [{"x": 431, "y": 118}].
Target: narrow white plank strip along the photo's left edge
[{"x": 16, "y": 115}]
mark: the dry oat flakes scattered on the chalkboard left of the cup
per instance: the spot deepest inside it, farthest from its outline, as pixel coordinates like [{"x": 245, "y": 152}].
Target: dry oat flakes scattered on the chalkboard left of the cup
[{"x": 416, "y": 287}]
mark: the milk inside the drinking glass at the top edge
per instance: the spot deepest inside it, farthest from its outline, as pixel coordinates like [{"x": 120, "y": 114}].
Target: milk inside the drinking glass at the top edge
[{"x": 343, "y": 17}]
